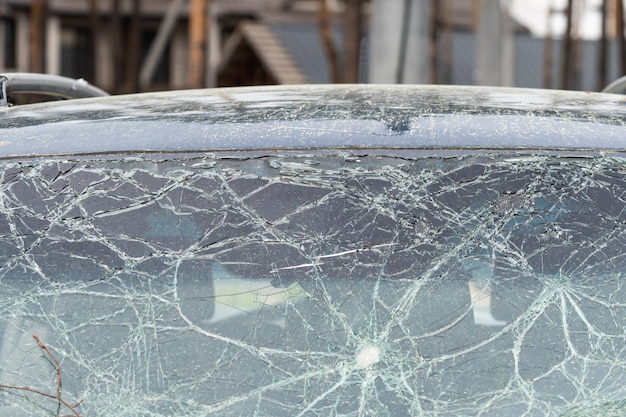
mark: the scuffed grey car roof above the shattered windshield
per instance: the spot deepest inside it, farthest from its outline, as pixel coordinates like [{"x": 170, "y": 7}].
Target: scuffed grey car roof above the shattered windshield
[{"x": 318, "y": 117}]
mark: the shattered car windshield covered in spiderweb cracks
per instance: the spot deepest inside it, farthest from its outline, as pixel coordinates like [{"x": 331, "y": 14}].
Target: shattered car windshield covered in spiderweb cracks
[{"x": 316, "y": 284}]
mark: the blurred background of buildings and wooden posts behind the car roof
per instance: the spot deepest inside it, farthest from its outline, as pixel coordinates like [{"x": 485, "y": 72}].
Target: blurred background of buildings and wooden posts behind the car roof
[{"x": 128, "y": 46}]
